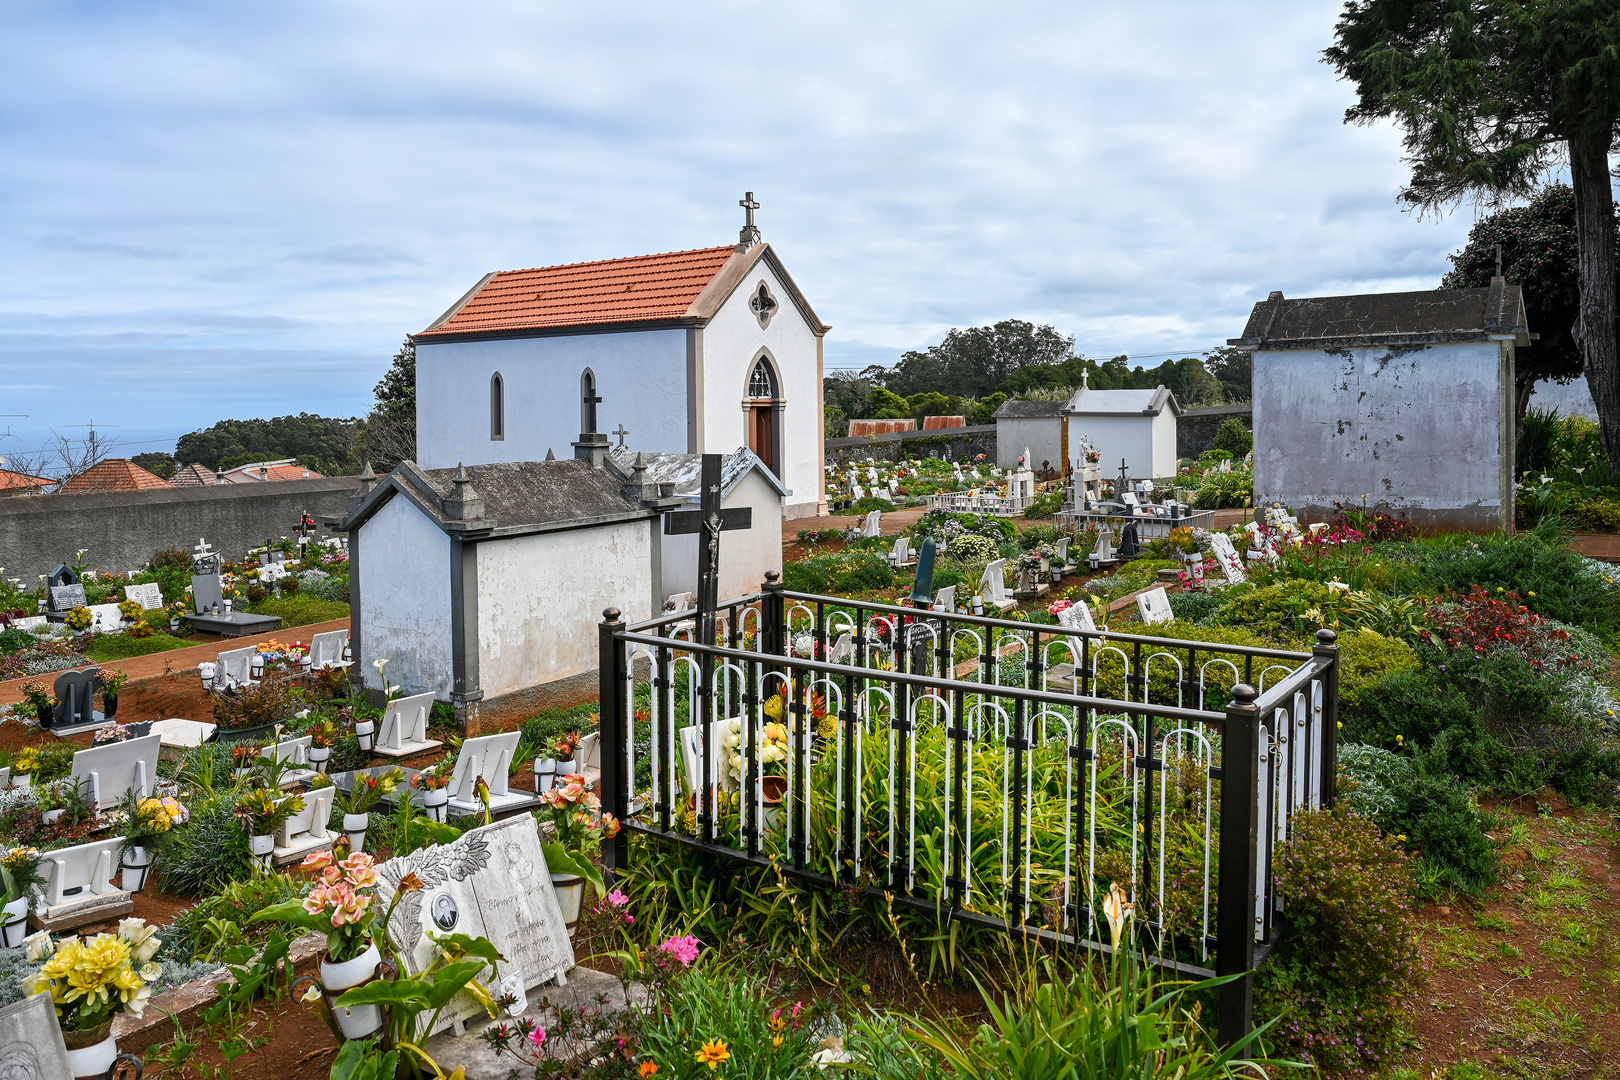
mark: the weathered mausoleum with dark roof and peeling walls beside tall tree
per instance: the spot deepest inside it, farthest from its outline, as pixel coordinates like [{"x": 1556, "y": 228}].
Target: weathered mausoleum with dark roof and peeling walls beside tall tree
[{"x": 1400, "y": 399}]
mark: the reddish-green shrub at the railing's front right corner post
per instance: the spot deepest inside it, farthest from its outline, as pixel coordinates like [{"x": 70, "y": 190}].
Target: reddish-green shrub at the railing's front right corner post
[{"x": 1339, "y": 985}]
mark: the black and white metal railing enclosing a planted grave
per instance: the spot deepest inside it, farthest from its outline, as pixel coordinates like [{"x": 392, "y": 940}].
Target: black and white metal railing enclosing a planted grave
[{"x": 992, "y": 772}]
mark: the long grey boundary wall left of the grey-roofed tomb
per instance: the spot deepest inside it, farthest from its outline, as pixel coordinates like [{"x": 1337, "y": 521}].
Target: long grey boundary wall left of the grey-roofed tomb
[{"x": 122, "y": 529}]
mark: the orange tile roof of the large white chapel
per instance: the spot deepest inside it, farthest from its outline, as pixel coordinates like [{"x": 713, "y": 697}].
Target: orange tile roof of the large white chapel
[{"x": 587, "y": 294}]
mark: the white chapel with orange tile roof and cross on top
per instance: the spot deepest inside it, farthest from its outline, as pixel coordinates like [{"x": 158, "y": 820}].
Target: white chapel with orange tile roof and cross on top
[{"x": 689, "y": 352}]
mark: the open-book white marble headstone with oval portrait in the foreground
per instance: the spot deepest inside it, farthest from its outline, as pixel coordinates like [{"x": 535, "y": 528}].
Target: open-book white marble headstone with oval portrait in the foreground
[{"x": 492, "y": 883}]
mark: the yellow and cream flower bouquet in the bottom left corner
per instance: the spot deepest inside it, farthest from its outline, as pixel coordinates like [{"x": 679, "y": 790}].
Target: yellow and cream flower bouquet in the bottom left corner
[{"x": 95, "y": 980}]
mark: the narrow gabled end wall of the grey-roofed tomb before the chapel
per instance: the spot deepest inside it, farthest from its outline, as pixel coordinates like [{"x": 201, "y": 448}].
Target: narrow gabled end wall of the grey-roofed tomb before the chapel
[{"x": 406, "y": 600}]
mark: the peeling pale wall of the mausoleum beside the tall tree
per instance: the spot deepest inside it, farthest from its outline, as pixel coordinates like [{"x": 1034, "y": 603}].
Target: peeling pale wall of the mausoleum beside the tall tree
[{"x": 1420, "y": 428}]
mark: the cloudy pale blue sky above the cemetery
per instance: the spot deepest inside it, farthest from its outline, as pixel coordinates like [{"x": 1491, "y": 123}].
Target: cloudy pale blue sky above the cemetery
[{"x": 223, "y": 211}]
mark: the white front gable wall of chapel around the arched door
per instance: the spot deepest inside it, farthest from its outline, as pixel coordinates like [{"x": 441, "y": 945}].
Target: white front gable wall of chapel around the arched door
[{"x": 731, "y": 341}]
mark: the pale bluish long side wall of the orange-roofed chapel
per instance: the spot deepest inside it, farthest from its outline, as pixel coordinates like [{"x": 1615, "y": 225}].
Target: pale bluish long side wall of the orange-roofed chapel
[{"x": 641, "y": 376}]
